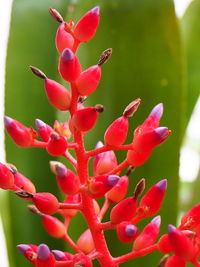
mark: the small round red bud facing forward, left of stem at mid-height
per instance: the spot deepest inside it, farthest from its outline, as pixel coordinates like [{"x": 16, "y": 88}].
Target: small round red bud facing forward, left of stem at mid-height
[{"x": 57, "y": 145}]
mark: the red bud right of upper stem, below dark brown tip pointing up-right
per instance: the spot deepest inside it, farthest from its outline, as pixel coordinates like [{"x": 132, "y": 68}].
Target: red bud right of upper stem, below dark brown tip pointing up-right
[{"x": 88, "y": 80}]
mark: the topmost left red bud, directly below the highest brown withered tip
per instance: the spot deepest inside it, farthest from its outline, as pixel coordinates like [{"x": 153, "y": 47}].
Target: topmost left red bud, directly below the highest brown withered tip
[{"x": 63, "y": 38}]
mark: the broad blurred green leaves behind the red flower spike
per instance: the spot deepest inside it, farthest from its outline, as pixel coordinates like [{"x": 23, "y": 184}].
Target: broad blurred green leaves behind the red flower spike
[{"x": 155, "y": 57}]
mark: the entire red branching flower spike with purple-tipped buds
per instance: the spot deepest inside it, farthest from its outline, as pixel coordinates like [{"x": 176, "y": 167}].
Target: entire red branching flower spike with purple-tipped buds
[{"x": 81, "y": 188}]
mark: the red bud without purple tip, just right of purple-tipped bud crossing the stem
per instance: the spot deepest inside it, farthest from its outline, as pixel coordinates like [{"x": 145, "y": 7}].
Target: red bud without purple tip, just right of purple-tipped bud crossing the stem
[{"x": 118, "y": 192}]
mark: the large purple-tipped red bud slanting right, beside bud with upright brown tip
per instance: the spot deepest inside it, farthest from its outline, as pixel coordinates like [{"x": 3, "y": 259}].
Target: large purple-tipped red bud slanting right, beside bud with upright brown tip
[{"x": 152, "y": 200}]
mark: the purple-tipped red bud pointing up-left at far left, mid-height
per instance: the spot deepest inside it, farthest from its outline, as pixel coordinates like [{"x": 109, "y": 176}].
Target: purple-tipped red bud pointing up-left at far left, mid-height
[{"x": 20, "y": 134}]
